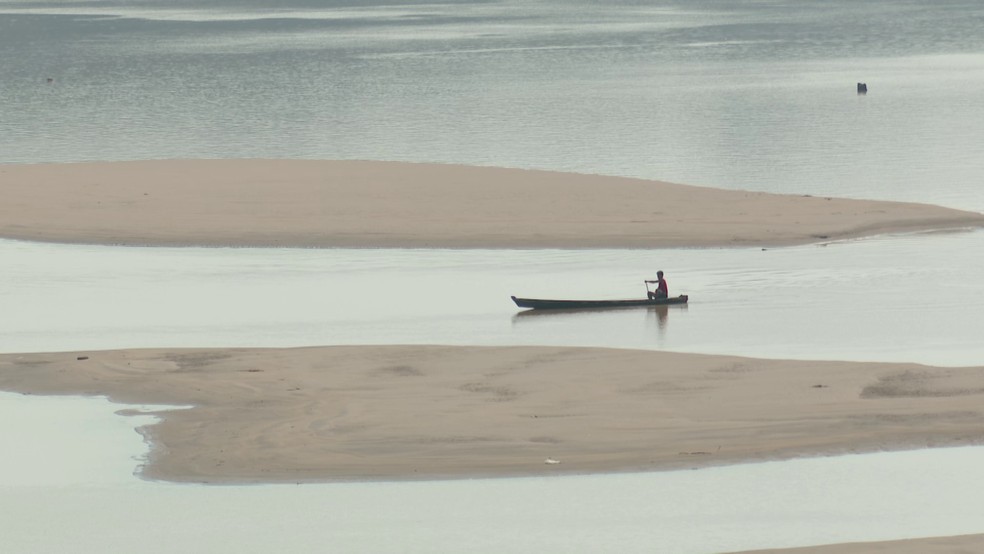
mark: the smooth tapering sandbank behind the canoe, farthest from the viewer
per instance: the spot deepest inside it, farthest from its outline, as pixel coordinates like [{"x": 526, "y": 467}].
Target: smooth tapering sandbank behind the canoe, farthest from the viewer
[{"x": 390, "y": 204}]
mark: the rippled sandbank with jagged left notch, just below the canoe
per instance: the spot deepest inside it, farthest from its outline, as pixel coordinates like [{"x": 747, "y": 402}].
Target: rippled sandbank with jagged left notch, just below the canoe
[{"x": 368, "y": 412}]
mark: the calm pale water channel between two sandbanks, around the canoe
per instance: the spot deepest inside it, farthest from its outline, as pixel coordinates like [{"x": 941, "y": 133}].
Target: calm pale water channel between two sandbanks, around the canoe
[{"x": 881, "y": 299}]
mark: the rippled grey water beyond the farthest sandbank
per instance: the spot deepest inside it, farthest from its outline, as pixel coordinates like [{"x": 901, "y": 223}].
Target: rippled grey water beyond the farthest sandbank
[{"x": 738, "y": 94}]
